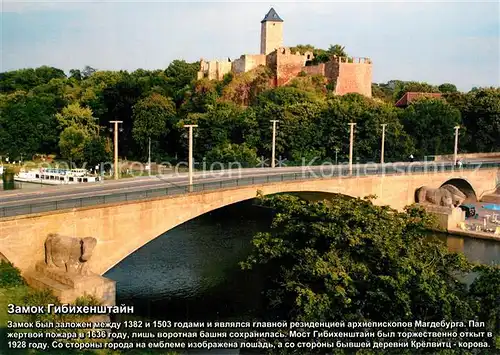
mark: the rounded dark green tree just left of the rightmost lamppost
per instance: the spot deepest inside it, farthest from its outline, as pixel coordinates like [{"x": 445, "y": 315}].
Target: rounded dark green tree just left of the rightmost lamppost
[{"x": 430, "y": 123}]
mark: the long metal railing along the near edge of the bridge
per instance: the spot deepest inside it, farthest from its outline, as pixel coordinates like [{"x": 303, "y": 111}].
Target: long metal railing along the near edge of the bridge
[{"x": 101, "y": 199}]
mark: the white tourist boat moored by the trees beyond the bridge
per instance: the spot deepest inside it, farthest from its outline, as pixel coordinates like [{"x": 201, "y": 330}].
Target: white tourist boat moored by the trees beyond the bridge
[{"x": 49, "y": 176}]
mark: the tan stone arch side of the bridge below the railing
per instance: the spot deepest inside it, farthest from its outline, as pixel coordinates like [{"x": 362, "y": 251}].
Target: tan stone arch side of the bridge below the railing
[{"x": 122, "y": 228}]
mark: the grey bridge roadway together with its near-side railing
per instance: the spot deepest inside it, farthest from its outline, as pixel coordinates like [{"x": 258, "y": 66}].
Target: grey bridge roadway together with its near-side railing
[{"x": 59, "y": 197}]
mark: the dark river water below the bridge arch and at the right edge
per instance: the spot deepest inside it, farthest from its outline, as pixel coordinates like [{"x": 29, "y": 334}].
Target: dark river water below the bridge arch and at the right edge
[{"x": 192, "y": 273}]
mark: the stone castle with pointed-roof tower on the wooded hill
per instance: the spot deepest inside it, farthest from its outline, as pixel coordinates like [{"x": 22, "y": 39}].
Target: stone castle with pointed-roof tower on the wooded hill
[{"x": 349, "y": 74}]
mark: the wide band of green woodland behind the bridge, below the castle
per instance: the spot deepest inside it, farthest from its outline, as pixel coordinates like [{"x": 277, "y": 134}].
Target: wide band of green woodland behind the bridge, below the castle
[{"x": 38, "y": 105}]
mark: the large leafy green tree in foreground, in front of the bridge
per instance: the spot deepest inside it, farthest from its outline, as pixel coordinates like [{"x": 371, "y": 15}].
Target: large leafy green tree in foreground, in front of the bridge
[{"x": 345, "y": 259}]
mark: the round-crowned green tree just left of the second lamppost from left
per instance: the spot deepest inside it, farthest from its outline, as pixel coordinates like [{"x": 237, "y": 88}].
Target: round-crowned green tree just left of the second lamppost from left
[{"x": 151, "y": 116}]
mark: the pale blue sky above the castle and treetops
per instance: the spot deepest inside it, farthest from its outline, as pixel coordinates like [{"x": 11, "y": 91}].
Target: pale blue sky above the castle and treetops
[{"x": 431, "y": 41}]
